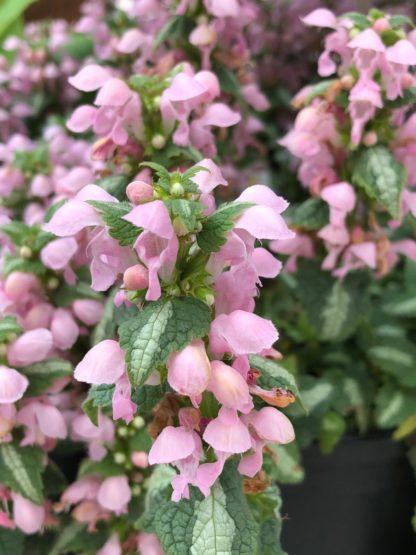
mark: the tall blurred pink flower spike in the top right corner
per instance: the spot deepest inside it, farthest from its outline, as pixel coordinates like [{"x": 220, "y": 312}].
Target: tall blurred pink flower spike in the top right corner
[{"x": 364, "y": 106}]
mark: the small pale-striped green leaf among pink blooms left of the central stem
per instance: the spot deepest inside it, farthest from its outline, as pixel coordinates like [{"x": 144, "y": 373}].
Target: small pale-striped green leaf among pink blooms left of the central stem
[{"x": 42, "y": 375}]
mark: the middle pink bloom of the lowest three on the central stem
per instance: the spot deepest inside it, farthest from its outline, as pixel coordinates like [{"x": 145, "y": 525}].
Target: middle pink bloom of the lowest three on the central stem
[{"x": 227, "y": 433}]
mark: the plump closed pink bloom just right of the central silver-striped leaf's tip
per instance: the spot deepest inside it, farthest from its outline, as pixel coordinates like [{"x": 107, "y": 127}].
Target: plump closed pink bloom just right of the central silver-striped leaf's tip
[{"x": 189, "y": 370}]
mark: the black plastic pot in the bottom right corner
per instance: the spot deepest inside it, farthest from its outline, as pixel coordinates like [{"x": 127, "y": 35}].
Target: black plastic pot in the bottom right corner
[{"x": 357, "y": 501}]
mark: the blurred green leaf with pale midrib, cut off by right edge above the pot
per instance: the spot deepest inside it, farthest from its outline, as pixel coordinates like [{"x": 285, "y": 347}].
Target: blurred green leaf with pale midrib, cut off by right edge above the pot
[{"x": 397, "y": 357}]
